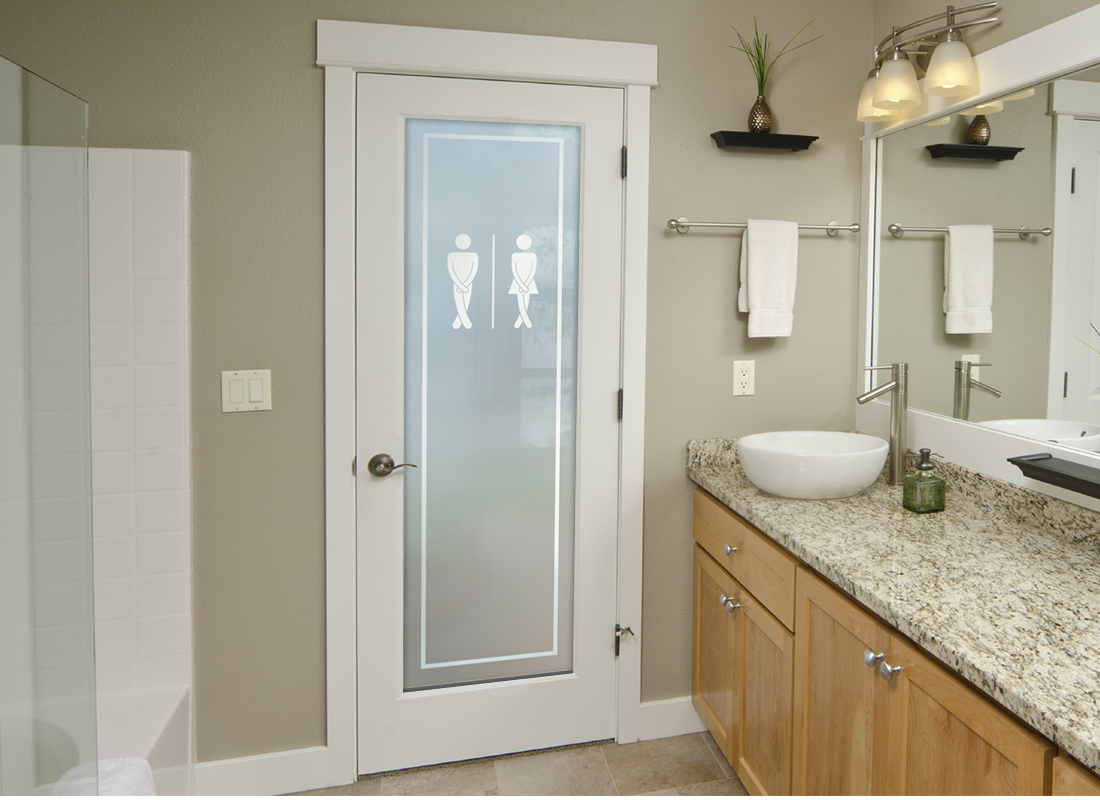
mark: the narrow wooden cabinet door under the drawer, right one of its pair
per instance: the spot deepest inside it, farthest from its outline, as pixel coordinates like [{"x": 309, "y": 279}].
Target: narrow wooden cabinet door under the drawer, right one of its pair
[{"x": 764, "y": 762}]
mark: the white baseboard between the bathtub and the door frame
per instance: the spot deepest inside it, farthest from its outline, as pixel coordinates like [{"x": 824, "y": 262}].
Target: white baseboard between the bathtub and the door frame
[{"x": 268, "y": 774}]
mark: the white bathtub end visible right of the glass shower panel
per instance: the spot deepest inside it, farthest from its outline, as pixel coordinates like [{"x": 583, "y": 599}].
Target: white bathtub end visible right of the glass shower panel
[{"x": 155, "y": 725}]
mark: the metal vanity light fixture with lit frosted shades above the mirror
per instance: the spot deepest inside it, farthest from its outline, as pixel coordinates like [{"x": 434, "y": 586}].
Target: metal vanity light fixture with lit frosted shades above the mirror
[{"x": 951, "y": 71}]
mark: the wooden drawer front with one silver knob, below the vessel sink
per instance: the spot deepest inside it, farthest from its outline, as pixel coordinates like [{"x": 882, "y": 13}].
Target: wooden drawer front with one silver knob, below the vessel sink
[{"x": 762, "y": 566}]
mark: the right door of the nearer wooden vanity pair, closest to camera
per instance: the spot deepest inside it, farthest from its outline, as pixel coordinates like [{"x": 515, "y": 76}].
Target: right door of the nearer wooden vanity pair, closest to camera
[{"x": 949, "y": 740}]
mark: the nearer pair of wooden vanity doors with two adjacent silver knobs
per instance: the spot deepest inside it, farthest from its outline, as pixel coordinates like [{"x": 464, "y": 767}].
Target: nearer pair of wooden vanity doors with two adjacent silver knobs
[{"x": 921, "y": 732}]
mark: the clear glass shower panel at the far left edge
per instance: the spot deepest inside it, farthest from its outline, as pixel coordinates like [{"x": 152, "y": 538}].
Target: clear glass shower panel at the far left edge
[{"x": 48, "y": 703}]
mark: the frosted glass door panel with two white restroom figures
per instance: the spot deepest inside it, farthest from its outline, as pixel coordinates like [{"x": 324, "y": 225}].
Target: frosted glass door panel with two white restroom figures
[{"x": 491, "y": 244}]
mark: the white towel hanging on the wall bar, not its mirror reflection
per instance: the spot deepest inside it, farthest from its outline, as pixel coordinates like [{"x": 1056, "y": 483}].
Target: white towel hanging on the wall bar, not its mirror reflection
[{"x": 768, "y": 273}]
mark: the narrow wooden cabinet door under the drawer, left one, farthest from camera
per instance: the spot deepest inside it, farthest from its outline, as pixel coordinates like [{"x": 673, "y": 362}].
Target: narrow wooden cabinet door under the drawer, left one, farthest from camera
[{"x": 716, "y": 640}]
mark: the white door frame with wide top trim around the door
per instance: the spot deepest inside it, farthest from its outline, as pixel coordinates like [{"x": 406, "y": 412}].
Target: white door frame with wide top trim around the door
[{"x": 345, "y": 49}]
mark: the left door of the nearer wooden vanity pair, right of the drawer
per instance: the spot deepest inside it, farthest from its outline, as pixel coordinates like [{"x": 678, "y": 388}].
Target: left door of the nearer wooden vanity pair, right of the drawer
[{"x": 839, "y": 750}]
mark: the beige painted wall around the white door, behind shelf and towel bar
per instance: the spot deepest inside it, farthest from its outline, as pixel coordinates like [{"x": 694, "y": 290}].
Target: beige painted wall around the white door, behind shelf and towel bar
[{"x": 234, "y": 82}]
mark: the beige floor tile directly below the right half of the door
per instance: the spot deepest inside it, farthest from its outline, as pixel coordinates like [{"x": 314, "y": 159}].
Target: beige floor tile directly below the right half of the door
[{"x": 580, "y": 771}]
